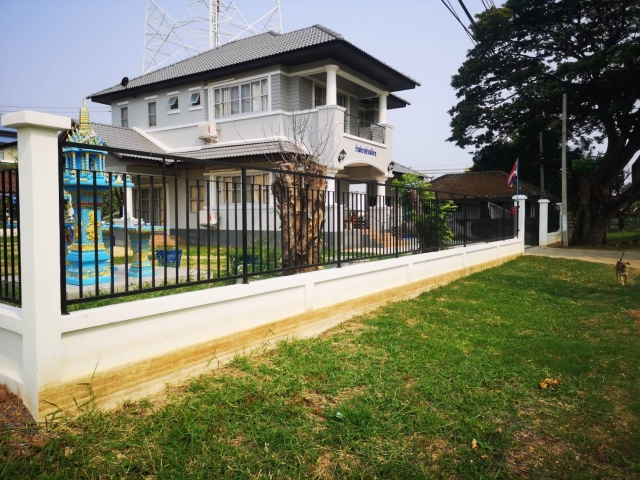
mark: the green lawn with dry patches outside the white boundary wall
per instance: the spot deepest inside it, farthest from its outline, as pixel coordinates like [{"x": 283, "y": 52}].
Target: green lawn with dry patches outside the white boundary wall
[{"x": 444, "y": 386}]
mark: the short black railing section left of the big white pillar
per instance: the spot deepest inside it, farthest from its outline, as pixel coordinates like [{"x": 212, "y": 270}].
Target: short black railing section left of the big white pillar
[{"x": 10, "y": 286}]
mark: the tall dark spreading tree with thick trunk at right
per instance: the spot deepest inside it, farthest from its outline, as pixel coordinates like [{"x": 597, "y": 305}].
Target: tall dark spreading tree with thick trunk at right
[{"x": 530, "y": 52}]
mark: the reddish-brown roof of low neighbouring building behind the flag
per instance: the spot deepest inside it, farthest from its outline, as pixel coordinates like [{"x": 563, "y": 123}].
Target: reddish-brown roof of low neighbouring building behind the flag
[{"x": 482, "y": 184}]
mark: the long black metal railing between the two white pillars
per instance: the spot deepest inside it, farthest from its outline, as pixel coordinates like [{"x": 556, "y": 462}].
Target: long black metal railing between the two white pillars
[{"x": 173, "y": 231}]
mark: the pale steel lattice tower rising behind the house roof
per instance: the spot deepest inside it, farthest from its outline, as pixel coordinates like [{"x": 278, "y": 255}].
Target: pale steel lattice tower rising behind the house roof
[{"x": 202, "y": 25}]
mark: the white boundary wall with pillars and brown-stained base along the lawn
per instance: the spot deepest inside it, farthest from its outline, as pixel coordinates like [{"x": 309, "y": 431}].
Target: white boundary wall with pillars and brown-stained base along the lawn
[{"x": 136, "y": 347}]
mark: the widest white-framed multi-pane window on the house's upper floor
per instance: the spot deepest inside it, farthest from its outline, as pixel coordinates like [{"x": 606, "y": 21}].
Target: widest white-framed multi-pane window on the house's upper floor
[{"x": 243, "y": 98}]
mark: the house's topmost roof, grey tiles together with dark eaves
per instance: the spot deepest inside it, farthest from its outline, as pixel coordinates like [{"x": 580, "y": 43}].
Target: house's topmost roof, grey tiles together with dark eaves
[{"x": 267, "y": 49}]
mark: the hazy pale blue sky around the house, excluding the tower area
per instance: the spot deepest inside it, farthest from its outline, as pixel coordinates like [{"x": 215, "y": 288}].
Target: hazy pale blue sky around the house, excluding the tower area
[{"x": 55, "y": 53}]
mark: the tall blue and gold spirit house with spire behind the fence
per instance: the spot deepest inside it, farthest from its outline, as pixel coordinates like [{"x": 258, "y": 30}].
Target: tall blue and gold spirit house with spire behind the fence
[{"x": 85, "y": 177}]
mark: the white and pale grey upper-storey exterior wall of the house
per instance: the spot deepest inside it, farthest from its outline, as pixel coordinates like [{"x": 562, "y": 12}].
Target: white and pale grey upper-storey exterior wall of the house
[{"x": 291, "y": 92}]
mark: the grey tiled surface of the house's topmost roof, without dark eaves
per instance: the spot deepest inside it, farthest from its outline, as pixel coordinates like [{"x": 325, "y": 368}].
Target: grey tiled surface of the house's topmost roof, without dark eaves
[{"x": 237, "y": 52}]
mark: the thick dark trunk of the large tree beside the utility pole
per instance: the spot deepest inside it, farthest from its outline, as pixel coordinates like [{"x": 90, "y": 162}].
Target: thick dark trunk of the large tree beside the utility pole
[{"x": 594, "y": 216}]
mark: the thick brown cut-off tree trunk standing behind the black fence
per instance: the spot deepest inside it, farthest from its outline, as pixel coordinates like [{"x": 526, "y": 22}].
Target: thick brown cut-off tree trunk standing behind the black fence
[{"x": 301, "y": 202}]
